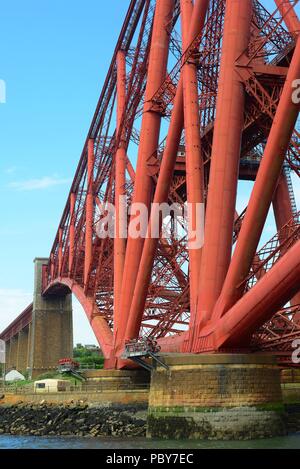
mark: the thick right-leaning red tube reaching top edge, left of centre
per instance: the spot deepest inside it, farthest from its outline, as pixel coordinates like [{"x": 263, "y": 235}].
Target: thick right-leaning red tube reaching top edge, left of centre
[{"x": 149, "y": 138}]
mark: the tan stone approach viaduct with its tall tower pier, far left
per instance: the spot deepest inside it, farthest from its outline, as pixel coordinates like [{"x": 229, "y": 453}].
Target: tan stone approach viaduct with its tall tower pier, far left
[{"x": 42, "y": 334}]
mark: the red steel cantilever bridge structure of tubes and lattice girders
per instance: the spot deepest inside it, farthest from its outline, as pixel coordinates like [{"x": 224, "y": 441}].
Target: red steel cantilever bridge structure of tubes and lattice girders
[{"x": 198, "y": 96}]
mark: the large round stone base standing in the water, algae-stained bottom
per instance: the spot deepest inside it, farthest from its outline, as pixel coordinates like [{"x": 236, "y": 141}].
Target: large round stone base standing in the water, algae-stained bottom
[{"x": 222, "y": 397}]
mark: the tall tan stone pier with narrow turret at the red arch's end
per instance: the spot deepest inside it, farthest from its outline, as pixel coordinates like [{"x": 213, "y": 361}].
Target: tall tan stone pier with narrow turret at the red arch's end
[{"x": 51, "y": 328}]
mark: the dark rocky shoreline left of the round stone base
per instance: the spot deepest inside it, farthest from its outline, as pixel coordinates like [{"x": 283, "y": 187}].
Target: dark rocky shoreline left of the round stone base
[{"x": 74, "y": 419}]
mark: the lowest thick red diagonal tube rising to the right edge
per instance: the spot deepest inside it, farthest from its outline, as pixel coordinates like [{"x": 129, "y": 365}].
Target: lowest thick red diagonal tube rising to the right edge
[{"x": 257, "y": 306}]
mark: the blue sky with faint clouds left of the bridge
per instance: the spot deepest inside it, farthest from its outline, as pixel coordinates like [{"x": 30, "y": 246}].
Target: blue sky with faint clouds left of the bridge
[{"x": 54, "y": 56}]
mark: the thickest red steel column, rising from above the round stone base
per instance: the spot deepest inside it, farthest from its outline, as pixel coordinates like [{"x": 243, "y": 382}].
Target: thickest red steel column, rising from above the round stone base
[{"x": 225, "y": 160}]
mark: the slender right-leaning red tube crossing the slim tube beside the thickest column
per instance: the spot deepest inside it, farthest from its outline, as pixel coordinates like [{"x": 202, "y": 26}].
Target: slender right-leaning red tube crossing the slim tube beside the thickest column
[{"x": 162, "y": 187}]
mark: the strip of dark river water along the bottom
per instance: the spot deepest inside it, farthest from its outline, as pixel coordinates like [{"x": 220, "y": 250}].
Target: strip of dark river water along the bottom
[{"x": 33, "y": 442}]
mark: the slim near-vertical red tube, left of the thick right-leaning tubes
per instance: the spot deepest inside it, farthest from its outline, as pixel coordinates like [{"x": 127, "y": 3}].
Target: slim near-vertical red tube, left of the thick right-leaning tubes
[{"x": 120, "y": 180}]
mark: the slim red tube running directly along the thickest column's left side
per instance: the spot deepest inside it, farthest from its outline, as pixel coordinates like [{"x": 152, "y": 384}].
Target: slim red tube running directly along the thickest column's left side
[{"x": 194, "y": 161}]
